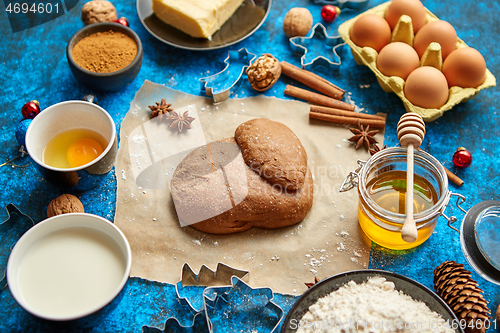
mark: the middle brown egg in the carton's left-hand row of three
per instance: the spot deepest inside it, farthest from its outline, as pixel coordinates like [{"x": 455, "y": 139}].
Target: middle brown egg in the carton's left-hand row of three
[{"x": 397, "y": 59}]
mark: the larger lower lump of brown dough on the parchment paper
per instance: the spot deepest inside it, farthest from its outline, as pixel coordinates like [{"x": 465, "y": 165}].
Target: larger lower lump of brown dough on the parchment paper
[{"x": 215, "y": 191}]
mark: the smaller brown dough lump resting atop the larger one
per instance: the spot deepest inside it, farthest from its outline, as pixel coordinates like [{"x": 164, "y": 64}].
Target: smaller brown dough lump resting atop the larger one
[{"x": 272, "y": 150}]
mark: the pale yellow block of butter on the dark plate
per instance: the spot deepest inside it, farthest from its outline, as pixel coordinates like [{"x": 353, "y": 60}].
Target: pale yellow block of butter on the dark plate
[{"x": 200, "y": 19}]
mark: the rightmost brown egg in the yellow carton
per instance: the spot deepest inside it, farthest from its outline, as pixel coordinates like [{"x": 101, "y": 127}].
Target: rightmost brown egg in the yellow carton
[{"x": 465, "y": 67}]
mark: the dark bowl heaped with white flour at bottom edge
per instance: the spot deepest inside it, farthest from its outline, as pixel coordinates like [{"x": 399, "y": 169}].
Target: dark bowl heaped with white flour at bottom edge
[{"x": 370, "y": 301}]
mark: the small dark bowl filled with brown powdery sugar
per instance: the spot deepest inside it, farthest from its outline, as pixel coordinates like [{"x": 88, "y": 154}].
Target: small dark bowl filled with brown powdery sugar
[{"x": 105, "y": 56}]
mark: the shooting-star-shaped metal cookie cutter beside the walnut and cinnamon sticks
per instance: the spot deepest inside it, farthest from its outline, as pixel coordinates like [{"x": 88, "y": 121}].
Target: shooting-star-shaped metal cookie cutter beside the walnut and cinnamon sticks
[{"x": 219, "y": 86}]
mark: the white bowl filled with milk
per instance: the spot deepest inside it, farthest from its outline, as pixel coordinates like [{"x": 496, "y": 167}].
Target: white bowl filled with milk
[{"x": 69, "y": 266}]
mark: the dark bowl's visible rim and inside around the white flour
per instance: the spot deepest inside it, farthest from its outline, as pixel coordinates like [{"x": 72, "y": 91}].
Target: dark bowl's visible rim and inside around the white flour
[{"x": 410, "y": 287}]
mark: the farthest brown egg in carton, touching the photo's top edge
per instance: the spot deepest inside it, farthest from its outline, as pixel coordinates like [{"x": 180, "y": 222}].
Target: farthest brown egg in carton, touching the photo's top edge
[{"x": 412, "y": 8}]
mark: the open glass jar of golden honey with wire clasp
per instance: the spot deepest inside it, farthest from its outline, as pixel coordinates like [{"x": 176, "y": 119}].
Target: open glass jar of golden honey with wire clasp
[{"x": 381, "y": 183}]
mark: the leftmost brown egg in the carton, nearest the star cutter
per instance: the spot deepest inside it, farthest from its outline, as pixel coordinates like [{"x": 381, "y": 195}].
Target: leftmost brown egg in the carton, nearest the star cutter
[{"x": 371, "y": 30}]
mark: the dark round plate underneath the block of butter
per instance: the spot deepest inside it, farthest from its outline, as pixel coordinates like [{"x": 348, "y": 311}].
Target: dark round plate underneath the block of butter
[{"x": 244, "y": 22}]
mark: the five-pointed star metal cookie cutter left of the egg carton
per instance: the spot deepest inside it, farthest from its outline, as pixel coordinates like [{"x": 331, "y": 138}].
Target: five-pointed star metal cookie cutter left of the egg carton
[{"x": 314, "y": 48}]
